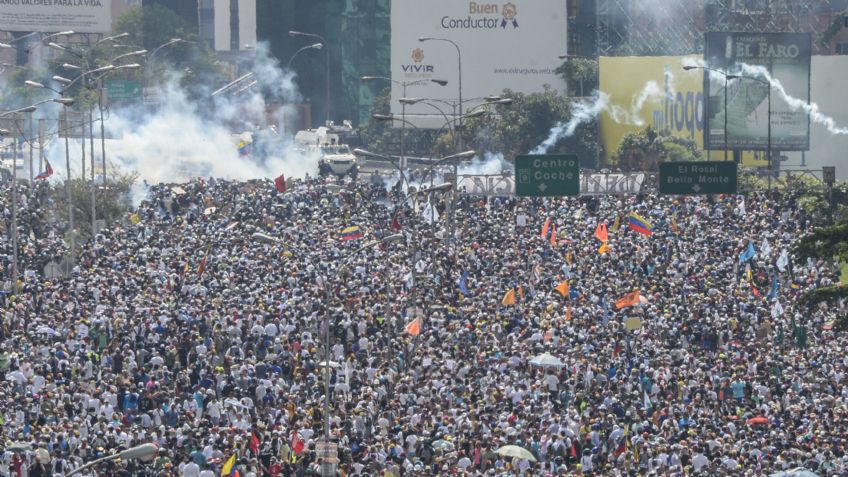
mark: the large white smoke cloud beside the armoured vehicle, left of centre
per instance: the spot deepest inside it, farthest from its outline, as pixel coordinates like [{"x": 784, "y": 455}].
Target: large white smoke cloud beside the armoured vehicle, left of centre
[{"x": 179, "y": 141}]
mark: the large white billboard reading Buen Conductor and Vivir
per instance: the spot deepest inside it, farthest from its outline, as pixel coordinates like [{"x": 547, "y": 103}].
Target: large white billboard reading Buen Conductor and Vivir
[{"x": 502, "y": 44}]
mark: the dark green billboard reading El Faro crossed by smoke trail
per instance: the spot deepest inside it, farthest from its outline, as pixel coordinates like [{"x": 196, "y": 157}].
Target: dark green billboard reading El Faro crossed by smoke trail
[{"x": 786, "y": 56}]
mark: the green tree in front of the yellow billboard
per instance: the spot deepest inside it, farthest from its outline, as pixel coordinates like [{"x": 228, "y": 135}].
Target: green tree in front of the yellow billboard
[{"x": 645, "y": 149}]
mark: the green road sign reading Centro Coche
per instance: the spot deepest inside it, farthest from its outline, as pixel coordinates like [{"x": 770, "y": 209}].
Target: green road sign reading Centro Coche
[{"x": 547, "y": 175}]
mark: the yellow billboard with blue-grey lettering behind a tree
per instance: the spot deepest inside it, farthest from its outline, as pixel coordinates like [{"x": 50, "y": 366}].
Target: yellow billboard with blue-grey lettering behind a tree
[{"x": 655, "y": 91}]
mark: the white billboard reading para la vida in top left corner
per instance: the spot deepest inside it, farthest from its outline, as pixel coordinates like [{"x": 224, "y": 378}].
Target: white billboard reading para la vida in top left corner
[{"x": 81, "y": 16}]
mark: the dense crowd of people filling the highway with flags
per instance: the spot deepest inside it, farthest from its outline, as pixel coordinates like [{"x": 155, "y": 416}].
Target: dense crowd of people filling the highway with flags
[{"x": 197, "y": 324}]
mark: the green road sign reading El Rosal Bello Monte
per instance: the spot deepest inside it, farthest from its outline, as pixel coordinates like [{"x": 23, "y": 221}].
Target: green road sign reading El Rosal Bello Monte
[{"x": 702, "y": 177}]
